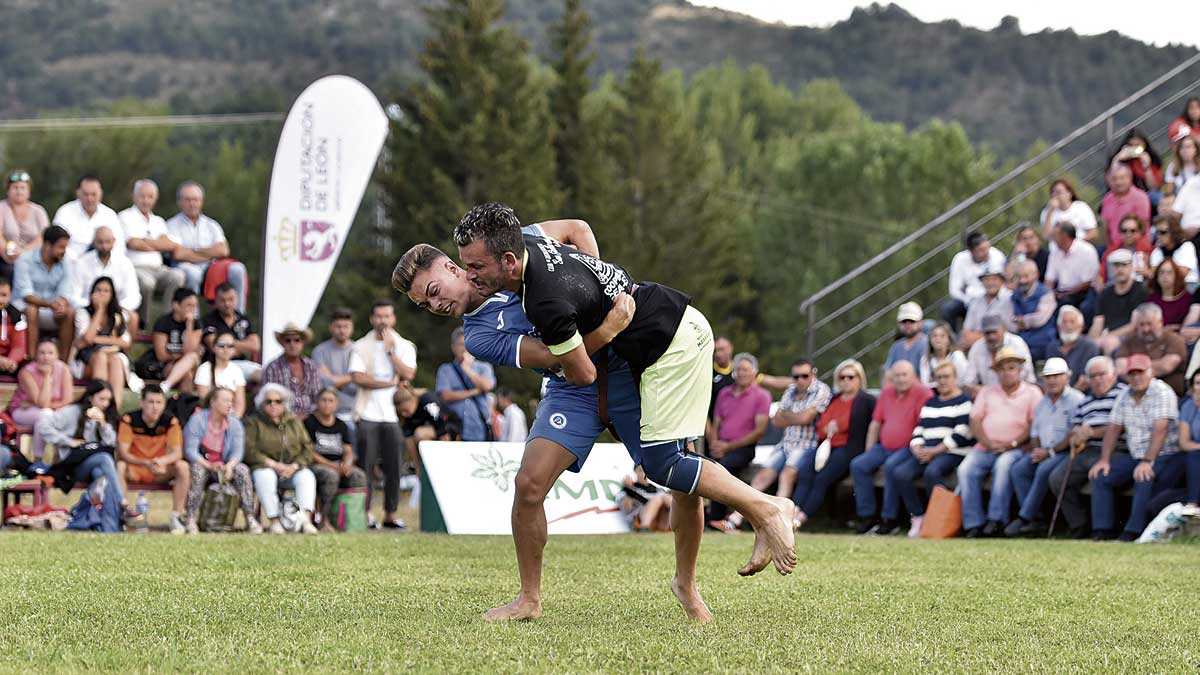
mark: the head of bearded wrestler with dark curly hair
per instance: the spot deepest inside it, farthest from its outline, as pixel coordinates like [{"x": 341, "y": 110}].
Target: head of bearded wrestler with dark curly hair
[{"x": 491, "y": 248}]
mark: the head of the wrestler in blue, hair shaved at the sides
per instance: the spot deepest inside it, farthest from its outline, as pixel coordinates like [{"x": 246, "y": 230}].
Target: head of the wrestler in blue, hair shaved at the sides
[{"x": 435, "y": 283}]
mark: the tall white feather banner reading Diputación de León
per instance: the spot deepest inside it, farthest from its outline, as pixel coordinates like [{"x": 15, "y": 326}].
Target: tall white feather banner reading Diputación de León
[{"x": 327, "y": 154}]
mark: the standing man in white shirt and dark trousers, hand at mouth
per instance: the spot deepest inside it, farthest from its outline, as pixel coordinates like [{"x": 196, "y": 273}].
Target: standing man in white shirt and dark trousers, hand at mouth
[{"x": 386, "y": 361}]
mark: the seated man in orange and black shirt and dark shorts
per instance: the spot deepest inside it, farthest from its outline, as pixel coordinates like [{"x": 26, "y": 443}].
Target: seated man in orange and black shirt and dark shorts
[{"x": 151, "y": 452}]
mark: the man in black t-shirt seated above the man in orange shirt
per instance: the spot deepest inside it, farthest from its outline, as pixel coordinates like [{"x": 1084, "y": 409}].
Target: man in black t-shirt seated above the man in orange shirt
[{"x": 177, "y": 345}]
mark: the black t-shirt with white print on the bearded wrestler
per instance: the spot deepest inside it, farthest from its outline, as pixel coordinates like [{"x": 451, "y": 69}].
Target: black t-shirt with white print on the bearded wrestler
[{"x": 568, "y": 294}]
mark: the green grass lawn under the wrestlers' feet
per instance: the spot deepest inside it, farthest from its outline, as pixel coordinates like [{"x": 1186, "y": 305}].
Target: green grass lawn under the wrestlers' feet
[{"x": 411, "y": 602}]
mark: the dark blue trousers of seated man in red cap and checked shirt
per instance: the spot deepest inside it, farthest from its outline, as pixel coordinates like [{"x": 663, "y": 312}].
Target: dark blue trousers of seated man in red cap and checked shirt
[{"x": 1169, "y": 471}]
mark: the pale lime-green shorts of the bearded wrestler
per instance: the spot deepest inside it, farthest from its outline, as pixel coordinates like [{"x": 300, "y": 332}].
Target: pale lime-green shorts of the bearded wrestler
[{"x": 677, "y": 390}]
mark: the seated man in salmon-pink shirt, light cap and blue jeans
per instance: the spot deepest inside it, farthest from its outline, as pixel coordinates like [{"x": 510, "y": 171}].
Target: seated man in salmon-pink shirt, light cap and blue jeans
[{"x": 1001, "y": 421}]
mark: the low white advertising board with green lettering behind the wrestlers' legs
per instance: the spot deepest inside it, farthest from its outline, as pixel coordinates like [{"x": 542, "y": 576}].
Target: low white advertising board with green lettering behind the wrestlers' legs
[{"x": 473, "y": 485}]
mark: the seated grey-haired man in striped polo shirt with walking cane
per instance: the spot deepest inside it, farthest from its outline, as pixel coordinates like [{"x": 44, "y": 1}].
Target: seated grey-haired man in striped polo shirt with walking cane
[{"x": 1088, "y": 429}]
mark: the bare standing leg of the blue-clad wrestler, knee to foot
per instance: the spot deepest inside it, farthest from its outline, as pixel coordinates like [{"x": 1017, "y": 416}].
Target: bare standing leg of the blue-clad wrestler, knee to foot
[{"x": 544, "y": 462}]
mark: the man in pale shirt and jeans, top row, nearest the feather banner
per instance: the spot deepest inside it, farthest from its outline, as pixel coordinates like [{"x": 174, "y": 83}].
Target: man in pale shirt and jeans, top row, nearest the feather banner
[{"x": 201, "y": 242}]
